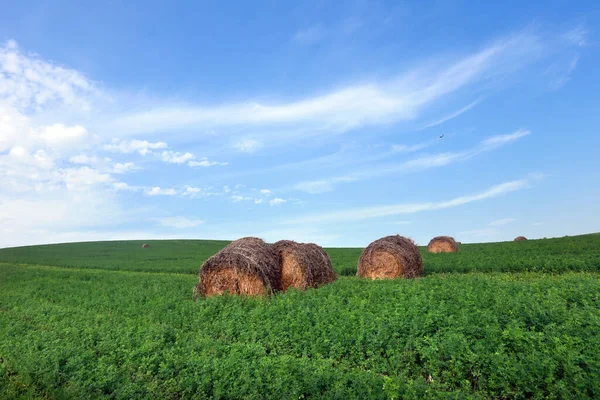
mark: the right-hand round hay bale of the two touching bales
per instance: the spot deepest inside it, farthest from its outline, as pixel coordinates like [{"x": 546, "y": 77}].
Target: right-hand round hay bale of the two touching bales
[{"x": 303, "y": 265}]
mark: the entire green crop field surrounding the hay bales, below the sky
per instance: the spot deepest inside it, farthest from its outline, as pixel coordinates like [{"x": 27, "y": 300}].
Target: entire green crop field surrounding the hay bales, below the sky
[{"x": 110, "y": 319}]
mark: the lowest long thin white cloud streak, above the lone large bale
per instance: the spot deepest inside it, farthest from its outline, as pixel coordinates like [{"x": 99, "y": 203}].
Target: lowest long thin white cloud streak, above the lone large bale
[{"x": 356, "y": 214}]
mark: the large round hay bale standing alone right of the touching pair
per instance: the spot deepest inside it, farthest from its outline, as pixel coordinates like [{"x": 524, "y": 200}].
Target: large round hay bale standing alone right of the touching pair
[{"x": 390, "y": 257}]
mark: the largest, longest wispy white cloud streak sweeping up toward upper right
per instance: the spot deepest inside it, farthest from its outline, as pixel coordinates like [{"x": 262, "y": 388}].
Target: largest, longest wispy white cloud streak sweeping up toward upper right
[{"x": 354, "y": 106}]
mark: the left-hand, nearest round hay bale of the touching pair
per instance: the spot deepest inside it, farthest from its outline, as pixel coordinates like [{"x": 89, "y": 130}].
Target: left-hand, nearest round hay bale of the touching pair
[{"x": 247, "y": 266}]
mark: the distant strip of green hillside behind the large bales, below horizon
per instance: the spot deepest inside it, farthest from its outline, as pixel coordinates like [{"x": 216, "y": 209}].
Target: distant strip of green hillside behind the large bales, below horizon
[{"x": 575, "y": 253}]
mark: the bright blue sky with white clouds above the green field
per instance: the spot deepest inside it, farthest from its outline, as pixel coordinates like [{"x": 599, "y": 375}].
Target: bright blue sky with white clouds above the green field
[{"x": 329, "y": 122}]
